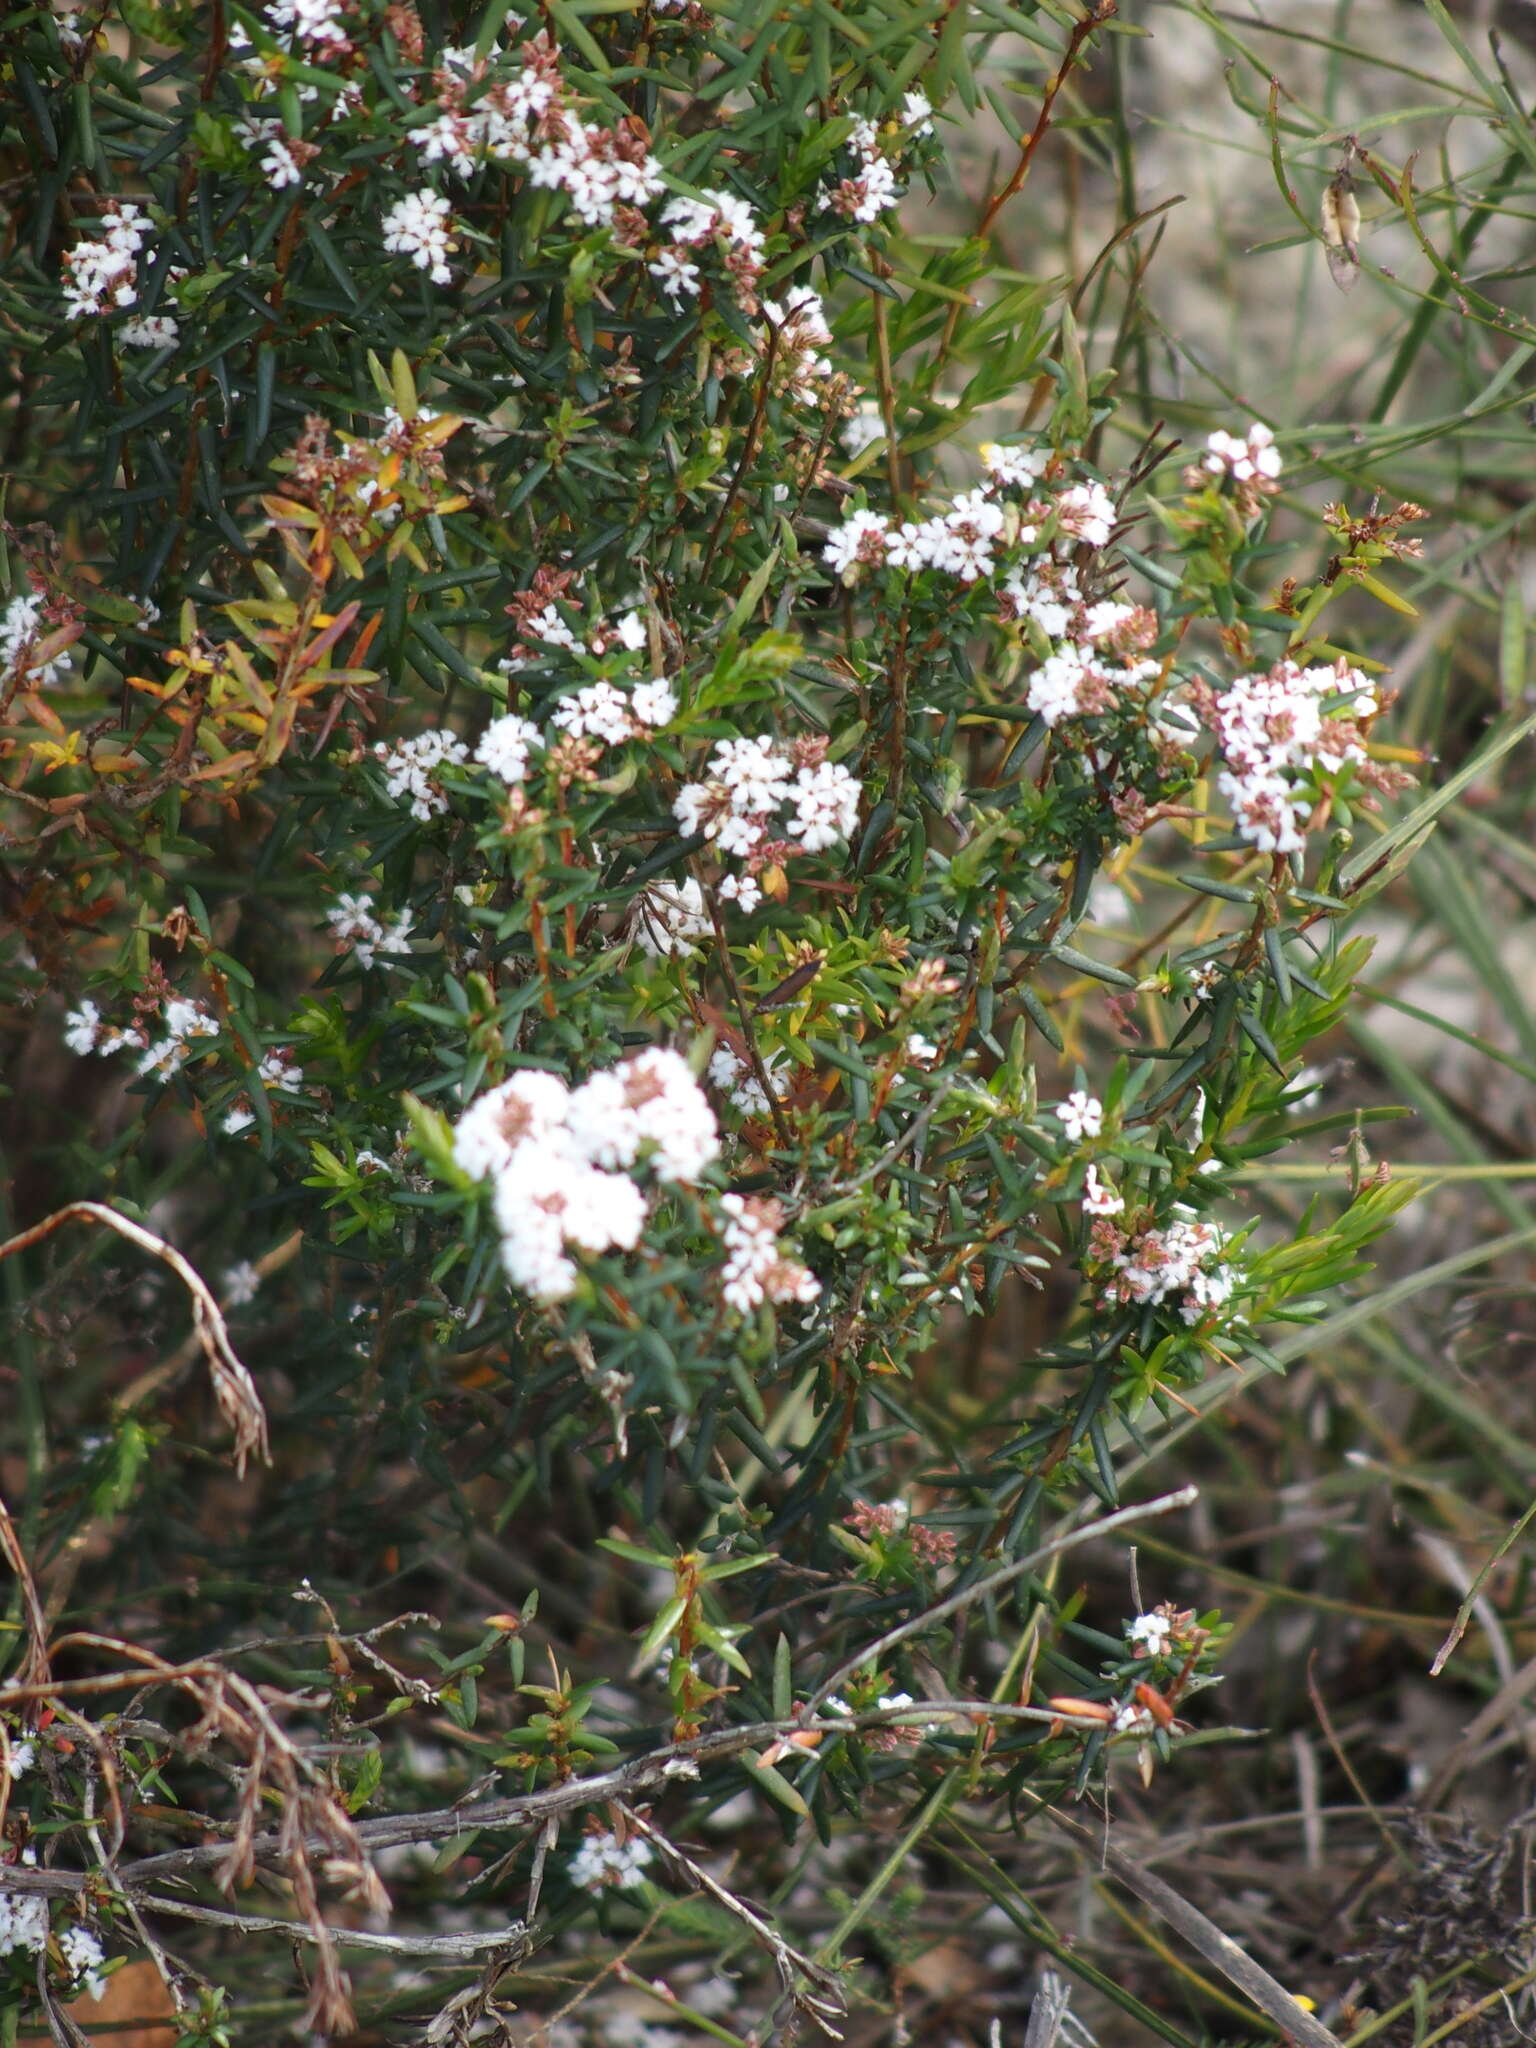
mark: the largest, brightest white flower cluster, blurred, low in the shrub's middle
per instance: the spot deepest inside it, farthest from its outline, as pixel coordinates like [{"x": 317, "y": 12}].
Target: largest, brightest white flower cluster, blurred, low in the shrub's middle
[{"x": 562, "y": 1160}]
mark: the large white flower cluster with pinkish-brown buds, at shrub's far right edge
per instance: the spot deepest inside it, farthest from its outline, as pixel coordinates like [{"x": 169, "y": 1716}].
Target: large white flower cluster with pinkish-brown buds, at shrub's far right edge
[{"x": 1279, "y": 728}]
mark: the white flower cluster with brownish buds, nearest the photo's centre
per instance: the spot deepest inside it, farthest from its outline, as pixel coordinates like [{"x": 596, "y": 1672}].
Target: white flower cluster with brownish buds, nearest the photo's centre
[{"x": 751, "y": 781}]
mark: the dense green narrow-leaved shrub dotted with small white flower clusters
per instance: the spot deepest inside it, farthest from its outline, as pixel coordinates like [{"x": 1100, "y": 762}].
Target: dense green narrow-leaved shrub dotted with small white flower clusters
[{"x": 572, "y": 701}]
